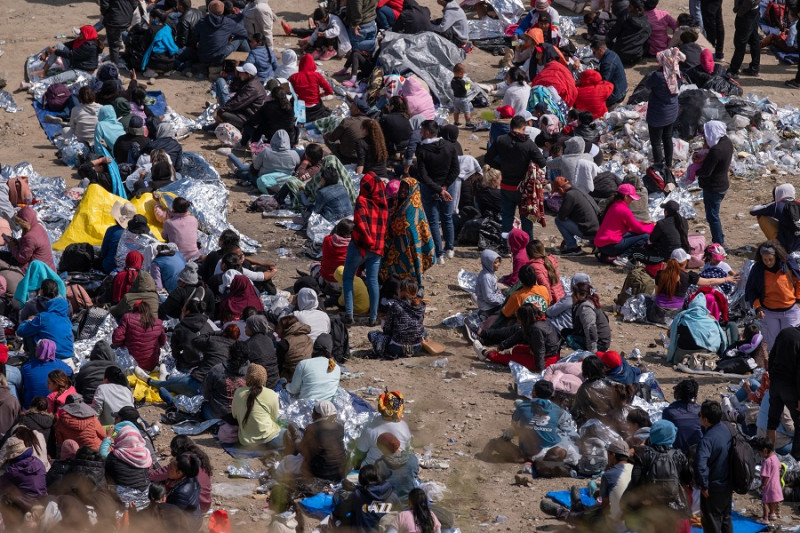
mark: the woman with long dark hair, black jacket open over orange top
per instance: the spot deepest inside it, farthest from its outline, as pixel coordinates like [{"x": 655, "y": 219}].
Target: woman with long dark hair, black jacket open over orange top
[{"x": 773, "y": 288}]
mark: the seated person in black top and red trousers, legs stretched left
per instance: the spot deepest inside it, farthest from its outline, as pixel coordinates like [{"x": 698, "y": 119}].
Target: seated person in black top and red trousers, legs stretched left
[{"x": 535, "y": 345}]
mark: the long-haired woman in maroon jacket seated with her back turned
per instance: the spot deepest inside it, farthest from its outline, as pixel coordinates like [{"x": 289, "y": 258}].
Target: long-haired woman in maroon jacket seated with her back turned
[{"x": 142, "y": 333}]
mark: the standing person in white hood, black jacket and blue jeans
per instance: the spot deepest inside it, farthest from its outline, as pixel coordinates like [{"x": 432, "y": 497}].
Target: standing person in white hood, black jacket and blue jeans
[{"x": 713, "y": 175}]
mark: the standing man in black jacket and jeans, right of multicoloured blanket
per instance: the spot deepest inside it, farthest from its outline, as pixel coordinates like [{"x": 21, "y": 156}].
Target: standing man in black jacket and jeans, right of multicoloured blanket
[{"x": 437, "y": 168}]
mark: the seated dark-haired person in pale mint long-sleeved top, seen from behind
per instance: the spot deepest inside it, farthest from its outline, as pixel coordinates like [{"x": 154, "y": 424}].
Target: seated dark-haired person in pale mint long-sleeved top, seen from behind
[{"x": 316, "y": 378}]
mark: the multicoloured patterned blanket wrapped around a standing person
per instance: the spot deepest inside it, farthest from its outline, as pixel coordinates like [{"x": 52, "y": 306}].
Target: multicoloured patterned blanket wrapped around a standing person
[{"x": 409, "y": 250}]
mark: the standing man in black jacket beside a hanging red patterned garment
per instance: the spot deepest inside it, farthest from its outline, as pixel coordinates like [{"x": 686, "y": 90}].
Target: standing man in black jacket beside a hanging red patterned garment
[{"x": 512, "y": 154}]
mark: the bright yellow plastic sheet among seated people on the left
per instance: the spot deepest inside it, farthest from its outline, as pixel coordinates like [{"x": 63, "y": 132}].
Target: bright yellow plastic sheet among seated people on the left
[{"x": 93, "y": 217}]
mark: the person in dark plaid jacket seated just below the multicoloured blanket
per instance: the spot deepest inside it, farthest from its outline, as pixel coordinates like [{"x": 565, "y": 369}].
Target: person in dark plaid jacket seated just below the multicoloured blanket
[{"x": 402, "y": 326}]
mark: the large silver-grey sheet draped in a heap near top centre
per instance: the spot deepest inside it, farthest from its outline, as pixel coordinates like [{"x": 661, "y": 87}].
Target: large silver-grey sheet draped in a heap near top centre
[{"x": 429, "y": 56}]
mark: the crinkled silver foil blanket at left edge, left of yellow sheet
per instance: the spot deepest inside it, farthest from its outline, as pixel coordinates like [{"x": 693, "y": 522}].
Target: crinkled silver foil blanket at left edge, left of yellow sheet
[{"x": 54, "y": 209}]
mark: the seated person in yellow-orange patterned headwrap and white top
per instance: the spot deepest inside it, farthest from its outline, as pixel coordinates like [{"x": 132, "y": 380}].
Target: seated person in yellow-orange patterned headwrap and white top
[{"x": 390, "y": 407}]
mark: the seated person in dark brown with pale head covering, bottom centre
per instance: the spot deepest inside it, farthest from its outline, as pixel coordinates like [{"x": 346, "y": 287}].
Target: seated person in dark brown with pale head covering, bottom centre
[{"x": 319, "y": 452}]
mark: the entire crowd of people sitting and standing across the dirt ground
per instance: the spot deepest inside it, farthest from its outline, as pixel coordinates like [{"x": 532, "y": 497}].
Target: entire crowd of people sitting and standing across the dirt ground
[{"x": 391, "y": 180}]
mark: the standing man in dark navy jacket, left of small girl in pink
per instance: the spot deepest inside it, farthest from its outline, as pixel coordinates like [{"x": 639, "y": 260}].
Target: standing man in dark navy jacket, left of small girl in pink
[{"x": 712, "y": 466}]
